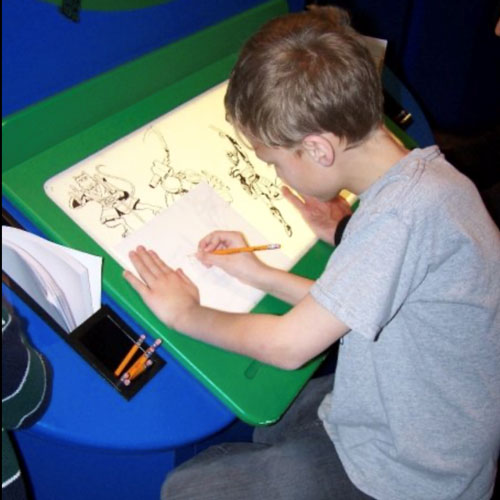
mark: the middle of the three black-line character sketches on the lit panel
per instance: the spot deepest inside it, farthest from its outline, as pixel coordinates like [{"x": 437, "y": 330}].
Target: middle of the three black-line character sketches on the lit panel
[{"x": 175, "y": 183}]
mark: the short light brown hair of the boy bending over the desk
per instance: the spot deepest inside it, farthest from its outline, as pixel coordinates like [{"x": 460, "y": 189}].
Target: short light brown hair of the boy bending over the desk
[{"x": 305, "y": 73}]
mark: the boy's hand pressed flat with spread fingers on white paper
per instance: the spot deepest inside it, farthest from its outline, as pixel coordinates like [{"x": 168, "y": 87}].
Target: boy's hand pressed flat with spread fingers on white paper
[{"x": 169, "y": 293}]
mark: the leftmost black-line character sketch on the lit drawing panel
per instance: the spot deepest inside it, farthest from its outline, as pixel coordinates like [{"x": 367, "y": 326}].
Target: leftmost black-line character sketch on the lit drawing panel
[{"x": 119, "y": 206}]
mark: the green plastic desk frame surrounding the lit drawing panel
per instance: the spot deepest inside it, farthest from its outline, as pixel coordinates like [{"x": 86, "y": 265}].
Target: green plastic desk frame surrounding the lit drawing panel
[{"x": 256, "y": 393}]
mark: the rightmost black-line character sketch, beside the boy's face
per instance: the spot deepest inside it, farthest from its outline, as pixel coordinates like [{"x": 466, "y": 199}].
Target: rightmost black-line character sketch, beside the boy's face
[{"x": 252, "y": 183}]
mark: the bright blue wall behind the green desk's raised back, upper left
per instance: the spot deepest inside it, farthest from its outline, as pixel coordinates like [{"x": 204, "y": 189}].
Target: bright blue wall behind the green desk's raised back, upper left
[{"x": 44, "y": 53}]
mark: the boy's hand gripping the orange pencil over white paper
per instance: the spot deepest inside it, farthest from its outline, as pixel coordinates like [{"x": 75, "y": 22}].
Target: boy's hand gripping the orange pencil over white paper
[{"x": 245, "y": 266}]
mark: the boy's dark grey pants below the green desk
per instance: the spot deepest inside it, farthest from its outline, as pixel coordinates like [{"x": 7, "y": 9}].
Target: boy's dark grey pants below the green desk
[{"x": 293, "y": 459}]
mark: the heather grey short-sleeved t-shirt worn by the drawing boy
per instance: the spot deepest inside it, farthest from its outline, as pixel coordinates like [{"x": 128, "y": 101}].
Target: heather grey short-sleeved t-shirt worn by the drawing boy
[{"x": 415, "y": 410}]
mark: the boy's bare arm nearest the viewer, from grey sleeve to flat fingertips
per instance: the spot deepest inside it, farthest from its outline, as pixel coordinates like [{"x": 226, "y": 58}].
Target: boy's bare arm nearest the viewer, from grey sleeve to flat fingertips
[{"x": 286, "y": 341}]
